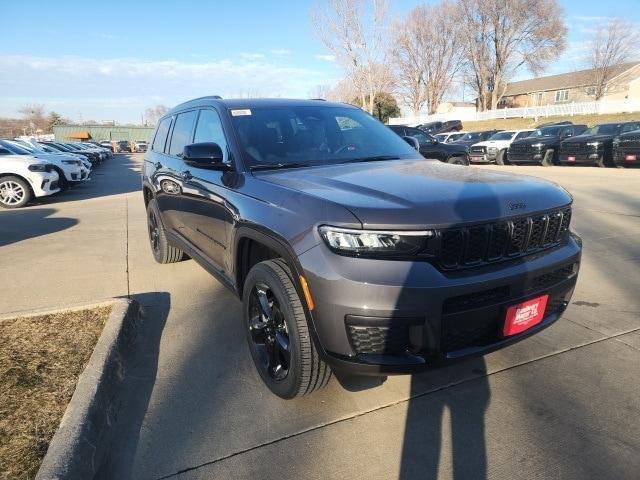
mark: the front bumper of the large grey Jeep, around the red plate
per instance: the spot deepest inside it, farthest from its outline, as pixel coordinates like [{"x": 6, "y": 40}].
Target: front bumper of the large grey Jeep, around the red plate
[{"x": 383, "y": 317}]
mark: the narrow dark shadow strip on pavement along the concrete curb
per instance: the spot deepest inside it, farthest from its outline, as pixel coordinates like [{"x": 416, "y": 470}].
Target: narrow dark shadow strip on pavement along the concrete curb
[{"x": 141, "y": 380}]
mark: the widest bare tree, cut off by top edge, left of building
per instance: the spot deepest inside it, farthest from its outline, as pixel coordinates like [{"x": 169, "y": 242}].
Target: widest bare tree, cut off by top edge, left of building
[{"x": 500, "y": 36}]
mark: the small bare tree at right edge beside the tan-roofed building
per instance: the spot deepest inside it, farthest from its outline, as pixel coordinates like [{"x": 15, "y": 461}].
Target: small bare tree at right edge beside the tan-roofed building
[{"x": 613, "y": 43}]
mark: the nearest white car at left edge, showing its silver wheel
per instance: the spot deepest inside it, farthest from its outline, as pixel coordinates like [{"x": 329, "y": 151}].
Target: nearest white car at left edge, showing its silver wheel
[{"x": 24, "y": 177}]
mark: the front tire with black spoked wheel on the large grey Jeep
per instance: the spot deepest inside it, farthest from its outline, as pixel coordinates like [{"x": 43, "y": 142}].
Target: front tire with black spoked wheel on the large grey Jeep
[{"x": 277, "y": 333}]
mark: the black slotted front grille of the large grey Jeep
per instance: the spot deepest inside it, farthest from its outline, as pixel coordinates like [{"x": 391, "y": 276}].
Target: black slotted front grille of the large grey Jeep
[{"x": 493, "y": 242}]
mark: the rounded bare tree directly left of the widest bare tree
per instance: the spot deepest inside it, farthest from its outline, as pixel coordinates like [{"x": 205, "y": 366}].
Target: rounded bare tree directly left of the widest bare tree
[{"x": 426, "y": 55}]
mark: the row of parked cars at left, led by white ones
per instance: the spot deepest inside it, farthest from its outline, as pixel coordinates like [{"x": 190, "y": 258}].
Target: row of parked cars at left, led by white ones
[{"x": 30, "y": 169}]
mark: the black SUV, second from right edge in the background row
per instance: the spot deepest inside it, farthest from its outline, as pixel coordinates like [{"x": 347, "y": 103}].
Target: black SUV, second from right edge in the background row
[{"x": 595, "y": 145}]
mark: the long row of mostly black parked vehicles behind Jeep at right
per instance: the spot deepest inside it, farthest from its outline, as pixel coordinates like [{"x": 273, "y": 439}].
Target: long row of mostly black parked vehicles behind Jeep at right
[{"x": 562, "y": 143}]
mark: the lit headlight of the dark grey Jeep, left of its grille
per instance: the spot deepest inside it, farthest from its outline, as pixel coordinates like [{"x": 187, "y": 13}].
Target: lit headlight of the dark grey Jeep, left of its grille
[{"x": 375, "y": 242}]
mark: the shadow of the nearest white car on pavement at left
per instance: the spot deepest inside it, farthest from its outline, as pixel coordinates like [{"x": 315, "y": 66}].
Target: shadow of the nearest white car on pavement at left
[{"x": 18, "y": 225}]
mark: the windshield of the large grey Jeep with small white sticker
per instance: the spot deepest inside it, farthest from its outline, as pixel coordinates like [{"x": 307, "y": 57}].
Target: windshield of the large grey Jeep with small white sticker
[{"x": 314, "y": 135}]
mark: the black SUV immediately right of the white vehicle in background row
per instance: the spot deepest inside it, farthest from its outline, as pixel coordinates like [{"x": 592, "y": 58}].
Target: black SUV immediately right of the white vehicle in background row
[{"x": 542, "y": 146}]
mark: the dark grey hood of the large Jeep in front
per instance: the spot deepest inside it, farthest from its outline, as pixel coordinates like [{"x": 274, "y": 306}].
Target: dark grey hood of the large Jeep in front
[{"x": 409, "y": 194}]
